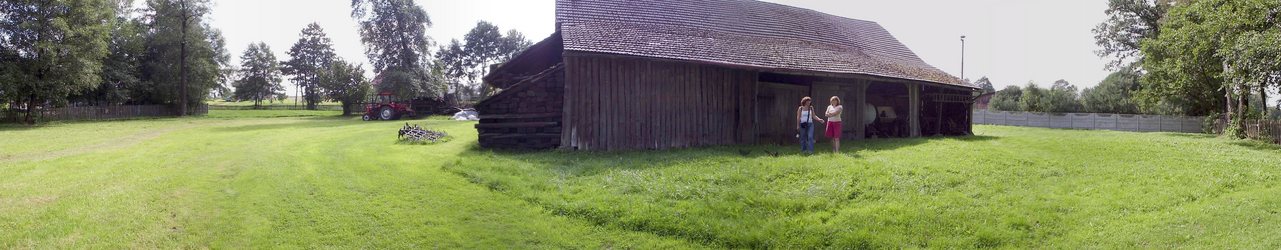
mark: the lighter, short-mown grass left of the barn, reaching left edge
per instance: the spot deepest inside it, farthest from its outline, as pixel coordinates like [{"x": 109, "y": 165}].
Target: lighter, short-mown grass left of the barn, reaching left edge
[{"x": 266, "y": 183}]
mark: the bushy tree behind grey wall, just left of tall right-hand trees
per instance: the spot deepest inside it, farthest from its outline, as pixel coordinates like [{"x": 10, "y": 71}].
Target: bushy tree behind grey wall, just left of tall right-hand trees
[{"x": 1113, "y": 96}]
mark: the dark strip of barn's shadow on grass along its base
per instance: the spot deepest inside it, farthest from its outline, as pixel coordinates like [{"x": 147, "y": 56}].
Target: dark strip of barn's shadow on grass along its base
[{"x": 591, "y": 163}]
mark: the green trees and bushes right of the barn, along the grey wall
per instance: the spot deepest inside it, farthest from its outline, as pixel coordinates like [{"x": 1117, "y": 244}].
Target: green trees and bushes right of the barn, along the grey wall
[{"x": 1215, "y": 58}]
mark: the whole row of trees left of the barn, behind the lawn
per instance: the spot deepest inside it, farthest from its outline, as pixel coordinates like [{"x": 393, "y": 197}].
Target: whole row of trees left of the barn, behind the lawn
[{"x": 110, "y": 53}]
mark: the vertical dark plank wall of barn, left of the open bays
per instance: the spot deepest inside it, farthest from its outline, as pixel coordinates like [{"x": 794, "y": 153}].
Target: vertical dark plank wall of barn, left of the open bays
[{"x": 618, "y": 103}]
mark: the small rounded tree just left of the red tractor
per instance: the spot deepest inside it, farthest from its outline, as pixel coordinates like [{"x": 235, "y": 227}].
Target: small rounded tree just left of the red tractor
[{"x": 345, "y": 83}]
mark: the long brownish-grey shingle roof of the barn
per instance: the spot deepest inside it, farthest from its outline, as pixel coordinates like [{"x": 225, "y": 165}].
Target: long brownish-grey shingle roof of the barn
[{"x": 741, "y": 33}]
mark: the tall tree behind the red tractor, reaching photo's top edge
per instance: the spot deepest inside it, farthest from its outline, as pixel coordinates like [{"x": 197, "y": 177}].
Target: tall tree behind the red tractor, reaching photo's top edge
[{"x": 396, "y": 43}]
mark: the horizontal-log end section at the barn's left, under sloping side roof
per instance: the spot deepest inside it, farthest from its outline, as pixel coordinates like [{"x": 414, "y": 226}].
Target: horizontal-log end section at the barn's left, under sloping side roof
[{"x": 527, "y": 116}]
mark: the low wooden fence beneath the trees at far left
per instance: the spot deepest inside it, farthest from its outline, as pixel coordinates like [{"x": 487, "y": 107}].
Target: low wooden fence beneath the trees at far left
[{"x": 98, "y": 113}]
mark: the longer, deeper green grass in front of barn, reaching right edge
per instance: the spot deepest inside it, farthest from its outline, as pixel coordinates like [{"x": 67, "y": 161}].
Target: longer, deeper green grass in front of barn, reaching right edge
[{"x": 1020, "y": 188}]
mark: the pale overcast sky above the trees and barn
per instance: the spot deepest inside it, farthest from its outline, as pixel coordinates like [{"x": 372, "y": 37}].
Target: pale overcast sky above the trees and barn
[{"x": 1011, "y": 42}]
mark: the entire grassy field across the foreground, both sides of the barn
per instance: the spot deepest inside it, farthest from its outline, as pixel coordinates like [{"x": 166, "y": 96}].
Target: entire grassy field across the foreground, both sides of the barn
[{"x": 312, "y": 180}]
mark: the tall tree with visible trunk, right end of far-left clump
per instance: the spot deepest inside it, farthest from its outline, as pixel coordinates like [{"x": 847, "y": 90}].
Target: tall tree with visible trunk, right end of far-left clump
[{"x": 185, "y": 57}]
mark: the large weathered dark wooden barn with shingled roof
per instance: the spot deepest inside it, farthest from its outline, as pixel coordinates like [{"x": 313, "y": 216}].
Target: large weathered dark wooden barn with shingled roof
[{"x": 626, "y": 75}]
